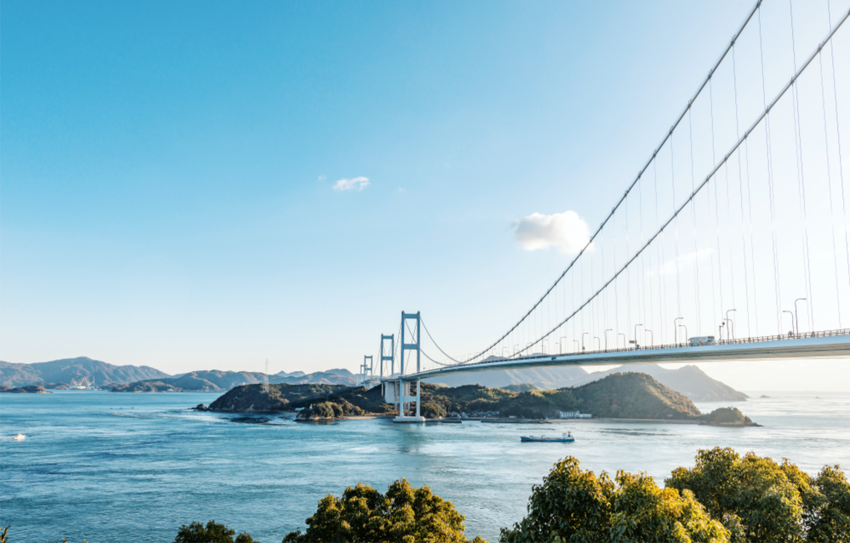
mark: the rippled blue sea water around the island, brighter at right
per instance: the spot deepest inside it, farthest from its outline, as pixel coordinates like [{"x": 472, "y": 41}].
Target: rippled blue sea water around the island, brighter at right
[{"x": 111, "y": 467}]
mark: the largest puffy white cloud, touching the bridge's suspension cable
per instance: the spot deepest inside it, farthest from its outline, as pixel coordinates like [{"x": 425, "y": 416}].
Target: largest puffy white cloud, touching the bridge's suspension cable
[{"x": 565, "y": 231}]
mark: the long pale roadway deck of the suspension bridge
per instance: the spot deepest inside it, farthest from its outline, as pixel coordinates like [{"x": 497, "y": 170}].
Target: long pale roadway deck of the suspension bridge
[{"x": 832, "y": 344}]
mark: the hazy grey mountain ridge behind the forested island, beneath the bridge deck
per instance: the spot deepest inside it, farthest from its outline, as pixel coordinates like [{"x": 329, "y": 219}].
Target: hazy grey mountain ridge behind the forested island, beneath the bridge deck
[{"x": 688, "y": 380}]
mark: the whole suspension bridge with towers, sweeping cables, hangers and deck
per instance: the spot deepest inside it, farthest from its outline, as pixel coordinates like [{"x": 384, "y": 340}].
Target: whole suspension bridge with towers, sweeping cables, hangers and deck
[{"x": 735, "y": 228}]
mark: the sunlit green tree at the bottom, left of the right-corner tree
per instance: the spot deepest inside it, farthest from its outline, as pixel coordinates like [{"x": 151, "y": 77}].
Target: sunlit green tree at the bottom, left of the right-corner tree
[{"x": 574, "y": 505}]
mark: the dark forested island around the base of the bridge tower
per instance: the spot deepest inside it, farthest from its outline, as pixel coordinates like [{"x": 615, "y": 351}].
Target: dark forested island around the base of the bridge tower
[{"x": 618, "y": 396}]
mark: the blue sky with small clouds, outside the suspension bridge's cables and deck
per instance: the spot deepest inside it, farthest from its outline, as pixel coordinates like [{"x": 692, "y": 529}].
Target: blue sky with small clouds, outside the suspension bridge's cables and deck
[{"x": 203, "y": 185}]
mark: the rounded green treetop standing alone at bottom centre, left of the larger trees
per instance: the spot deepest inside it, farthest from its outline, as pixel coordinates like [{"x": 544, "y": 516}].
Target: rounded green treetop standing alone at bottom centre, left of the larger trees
[{"x": 404, "y": 515}]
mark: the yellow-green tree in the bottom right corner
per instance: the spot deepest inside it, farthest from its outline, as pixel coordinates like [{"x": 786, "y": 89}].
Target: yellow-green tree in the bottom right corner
[{"x": 759, "y": 500}]
